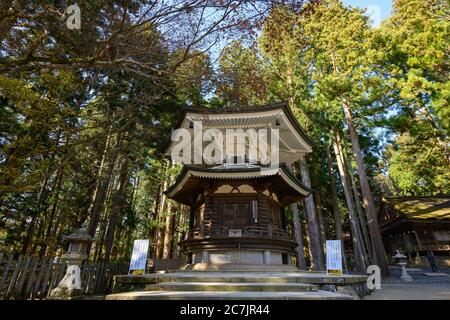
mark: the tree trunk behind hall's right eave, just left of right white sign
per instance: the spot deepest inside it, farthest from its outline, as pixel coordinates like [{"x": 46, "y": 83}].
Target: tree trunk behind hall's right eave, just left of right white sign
[{"x": 317, "y": 261}]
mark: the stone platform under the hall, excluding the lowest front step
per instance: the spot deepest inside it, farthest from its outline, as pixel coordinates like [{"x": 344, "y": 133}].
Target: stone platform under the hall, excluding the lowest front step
[{"x": 277, "y": 282}]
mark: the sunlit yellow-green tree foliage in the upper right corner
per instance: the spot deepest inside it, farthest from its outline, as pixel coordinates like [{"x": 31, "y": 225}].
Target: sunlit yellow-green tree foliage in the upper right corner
[{"x": 417, "y": 39}]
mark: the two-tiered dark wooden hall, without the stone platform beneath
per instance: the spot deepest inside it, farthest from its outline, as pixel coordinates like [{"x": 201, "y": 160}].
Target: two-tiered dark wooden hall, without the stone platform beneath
[{"x": 237, "y": 209}]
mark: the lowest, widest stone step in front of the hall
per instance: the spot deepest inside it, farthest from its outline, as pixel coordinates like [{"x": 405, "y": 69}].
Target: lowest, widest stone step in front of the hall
[{"x": 225, "y": 295}]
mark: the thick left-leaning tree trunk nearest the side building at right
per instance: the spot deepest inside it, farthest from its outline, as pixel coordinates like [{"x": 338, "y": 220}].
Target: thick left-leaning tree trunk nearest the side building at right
[{"x": 380, "y": 255}]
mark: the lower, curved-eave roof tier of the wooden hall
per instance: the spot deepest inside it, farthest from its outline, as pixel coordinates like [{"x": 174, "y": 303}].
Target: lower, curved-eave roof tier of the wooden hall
[{"x": 281, "y": 178}]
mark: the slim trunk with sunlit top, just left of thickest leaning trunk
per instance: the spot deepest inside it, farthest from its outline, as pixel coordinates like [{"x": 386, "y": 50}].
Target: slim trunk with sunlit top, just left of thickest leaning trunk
[{"x": 357, "y": 245}]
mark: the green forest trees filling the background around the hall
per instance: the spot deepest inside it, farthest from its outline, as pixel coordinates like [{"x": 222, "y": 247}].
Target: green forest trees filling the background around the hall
[{"x": 84, "y": 115}]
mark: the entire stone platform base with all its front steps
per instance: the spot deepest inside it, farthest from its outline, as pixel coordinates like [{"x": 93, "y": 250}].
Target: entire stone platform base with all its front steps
[{"x": 184, "y": 284}]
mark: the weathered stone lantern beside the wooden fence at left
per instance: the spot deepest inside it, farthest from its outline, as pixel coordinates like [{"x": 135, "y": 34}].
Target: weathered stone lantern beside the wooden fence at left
[{"x": 70, "y": 285}]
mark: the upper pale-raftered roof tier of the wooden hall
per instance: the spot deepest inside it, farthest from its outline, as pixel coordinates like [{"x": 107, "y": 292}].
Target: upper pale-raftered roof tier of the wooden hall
[{"x": 293, "y": 140}]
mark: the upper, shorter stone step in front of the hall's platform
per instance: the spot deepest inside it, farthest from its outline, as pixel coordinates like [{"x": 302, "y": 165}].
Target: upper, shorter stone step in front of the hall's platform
[{"x": 232, "y": 286}]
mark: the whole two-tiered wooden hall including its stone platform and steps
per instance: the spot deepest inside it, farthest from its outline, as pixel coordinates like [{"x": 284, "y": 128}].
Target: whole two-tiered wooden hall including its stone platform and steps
[{"x": 238, "y": 244}]
